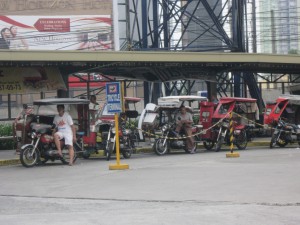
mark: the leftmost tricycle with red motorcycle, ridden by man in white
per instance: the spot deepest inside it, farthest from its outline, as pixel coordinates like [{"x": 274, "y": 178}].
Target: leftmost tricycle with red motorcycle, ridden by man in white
[{"x": 39, "y": 146}]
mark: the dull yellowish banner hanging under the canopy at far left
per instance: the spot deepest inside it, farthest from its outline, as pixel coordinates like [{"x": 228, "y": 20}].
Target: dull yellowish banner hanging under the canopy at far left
[{"x": 30, "y": 80}]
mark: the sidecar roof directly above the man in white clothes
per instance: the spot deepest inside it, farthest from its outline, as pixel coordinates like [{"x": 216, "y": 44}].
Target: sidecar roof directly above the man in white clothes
[{"x": 60, "y": 101}]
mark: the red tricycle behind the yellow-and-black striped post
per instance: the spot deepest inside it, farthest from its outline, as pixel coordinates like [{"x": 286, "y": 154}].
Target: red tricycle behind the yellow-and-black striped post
[{"x": 215, "y": 121}]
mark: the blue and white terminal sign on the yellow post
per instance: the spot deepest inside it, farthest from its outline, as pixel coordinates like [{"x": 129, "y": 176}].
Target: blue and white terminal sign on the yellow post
[{"x": 114, "y": 97}]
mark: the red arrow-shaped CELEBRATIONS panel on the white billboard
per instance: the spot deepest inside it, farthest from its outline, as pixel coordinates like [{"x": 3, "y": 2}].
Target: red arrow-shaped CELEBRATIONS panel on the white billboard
[{"x": 53, "y": 25}]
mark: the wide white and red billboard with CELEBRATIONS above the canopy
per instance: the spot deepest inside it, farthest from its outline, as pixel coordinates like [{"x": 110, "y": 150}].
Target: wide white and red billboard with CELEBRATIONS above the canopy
[{"x": 92, "y": 33}]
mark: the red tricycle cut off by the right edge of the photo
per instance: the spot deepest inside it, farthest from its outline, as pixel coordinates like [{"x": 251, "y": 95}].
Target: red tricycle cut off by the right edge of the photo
[{"x": 283, "y": 116}]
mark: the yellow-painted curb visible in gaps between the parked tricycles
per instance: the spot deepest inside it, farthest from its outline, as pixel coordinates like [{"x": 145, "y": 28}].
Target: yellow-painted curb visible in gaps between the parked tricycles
[{"x": 7, "y": 162}]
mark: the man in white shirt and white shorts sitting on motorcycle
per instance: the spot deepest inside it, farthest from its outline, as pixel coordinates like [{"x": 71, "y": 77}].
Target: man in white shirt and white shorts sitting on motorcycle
[{"x": 65, "y": 129}]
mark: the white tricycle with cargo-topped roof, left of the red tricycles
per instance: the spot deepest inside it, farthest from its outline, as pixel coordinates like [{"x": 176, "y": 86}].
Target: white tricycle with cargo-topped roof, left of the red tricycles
[{"x": 161, "y": 119}]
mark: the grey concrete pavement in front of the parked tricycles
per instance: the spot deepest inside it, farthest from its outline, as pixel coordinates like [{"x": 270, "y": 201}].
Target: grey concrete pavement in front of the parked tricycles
[{"x": 260, "y": 187}]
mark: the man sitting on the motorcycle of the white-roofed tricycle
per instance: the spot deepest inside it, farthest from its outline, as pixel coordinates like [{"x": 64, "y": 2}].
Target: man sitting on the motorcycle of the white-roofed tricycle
[{"x": 184, "y": 120}]
